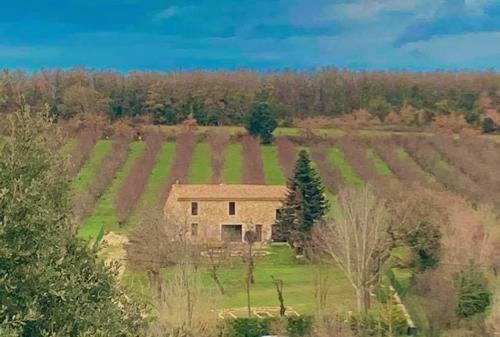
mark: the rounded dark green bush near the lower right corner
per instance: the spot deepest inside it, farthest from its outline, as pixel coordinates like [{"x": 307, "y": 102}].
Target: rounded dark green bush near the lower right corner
[{"x": 473, "y": 295}]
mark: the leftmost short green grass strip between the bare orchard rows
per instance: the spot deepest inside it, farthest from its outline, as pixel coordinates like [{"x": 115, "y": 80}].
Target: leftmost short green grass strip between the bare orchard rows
[{"x": 90, "y": 170}]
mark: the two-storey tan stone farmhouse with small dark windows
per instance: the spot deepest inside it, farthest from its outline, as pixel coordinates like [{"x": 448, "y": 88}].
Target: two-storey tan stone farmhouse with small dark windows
[{"x": 216, "y": 213}]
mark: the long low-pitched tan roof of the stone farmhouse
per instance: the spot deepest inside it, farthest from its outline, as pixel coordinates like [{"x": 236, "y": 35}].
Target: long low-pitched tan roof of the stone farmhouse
[{"x": 229, "y": 192}]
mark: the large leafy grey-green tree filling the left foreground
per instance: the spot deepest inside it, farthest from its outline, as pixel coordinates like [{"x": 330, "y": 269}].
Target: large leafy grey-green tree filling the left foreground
[{"x": 51, "y": 284}]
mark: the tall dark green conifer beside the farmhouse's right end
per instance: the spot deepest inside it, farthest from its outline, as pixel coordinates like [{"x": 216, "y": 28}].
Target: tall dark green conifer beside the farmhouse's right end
[{"x": 305, "y": 203}]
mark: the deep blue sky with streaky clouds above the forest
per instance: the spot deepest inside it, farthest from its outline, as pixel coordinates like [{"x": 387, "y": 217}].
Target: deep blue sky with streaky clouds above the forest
[{"x": 127, "y": 35}]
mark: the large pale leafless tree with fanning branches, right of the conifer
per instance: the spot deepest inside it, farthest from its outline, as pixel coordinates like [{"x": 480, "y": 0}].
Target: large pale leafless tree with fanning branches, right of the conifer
[{"x": 357, "y": 240}]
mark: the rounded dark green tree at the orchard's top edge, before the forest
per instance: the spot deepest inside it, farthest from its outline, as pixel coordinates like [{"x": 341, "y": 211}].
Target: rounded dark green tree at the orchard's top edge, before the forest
[{"x": 261, "y": 123}]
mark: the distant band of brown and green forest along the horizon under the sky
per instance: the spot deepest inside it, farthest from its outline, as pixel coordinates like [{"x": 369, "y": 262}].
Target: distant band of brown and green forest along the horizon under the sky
[{"x": 225, "y": 98}]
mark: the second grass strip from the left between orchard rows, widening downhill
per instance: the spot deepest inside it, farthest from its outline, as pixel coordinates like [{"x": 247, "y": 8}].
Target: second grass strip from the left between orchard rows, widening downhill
[{"x": 104, "y": 212}]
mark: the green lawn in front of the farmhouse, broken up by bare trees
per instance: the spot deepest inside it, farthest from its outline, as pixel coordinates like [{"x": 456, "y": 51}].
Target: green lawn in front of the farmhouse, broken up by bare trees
[{"x": 298, "y": 280}]
